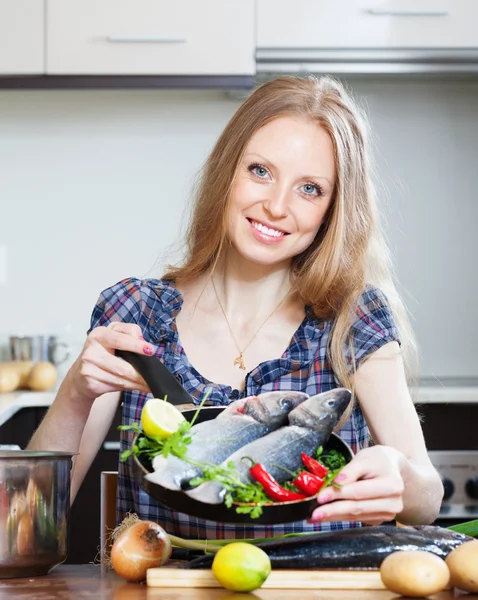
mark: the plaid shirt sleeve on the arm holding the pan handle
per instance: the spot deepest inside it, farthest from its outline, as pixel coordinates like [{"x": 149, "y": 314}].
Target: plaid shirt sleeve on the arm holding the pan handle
[{"x": 120, "y": 302}]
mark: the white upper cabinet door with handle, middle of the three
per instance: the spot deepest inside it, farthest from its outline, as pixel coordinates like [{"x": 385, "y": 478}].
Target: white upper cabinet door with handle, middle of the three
[{"x": 150, "y": 37}]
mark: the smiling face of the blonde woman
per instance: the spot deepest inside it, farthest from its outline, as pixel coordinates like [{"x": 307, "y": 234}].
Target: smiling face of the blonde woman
[{"x": 282, "y": 190}]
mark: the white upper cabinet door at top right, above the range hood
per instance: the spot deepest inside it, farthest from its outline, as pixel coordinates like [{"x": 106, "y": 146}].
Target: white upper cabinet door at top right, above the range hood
[{"x": 367, "y": 24}]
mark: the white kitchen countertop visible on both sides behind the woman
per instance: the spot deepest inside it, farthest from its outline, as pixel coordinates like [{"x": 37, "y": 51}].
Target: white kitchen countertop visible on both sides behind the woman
[{"x": 12, "y": 402}]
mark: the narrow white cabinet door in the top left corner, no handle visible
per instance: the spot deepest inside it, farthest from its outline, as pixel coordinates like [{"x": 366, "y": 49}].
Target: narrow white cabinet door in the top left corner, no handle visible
[{"x": 22, "y": 37}]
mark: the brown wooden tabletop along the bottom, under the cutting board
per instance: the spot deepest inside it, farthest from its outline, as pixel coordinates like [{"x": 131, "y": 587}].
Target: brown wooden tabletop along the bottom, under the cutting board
[{"x": 81, "y": 582}]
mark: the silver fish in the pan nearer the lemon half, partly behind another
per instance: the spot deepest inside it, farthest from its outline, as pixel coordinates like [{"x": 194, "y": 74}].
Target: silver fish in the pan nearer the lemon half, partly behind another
[{"x": 213, "y": 441}]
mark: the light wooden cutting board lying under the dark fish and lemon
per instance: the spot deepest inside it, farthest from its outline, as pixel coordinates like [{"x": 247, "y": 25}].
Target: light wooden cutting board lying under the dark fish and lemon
[{"x": 279, "y": 579}]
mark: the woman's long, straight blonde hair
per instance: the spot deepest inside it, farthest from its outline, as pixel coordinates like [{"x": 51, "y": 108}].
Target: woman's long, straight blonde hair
[{"x": 349, "y": 251}]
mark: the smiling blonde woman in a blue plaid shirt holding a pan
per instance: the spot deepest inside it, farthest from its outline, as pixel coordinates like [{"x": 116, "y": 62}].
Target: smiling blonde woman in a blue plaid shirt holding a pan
[{"x": 285, "y": 286}]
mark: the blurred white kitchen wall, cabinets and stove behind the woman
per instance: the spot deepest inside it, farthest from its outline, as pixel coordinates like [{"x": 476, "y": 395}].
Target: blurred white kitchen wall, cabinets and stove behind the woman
[{"x": 108, "y": 108}]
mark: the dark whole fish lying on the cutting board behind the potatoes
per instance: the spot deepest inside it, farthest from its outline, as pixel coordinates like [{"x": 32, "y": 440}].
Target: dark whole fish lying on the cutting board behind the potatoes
[{"x": 358, "y": 548}]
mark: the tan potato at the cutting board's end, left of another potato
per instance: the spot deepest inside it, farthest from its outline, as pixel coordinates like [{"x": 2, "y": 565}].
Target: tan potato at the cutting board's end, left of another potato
[{"x": 414, "y": 573}]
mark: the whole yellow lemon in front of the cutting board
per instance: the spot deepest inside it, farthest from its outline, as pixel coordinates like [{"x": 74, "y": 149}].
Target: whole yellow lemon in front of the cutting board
[{"x": 241, "y": 567}]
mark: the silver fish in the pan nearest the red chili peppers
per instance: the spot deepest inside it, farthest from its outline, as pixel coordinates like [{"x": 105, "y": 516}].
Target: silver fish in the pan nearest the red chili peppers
[{"x": 310, "y": 426}]
